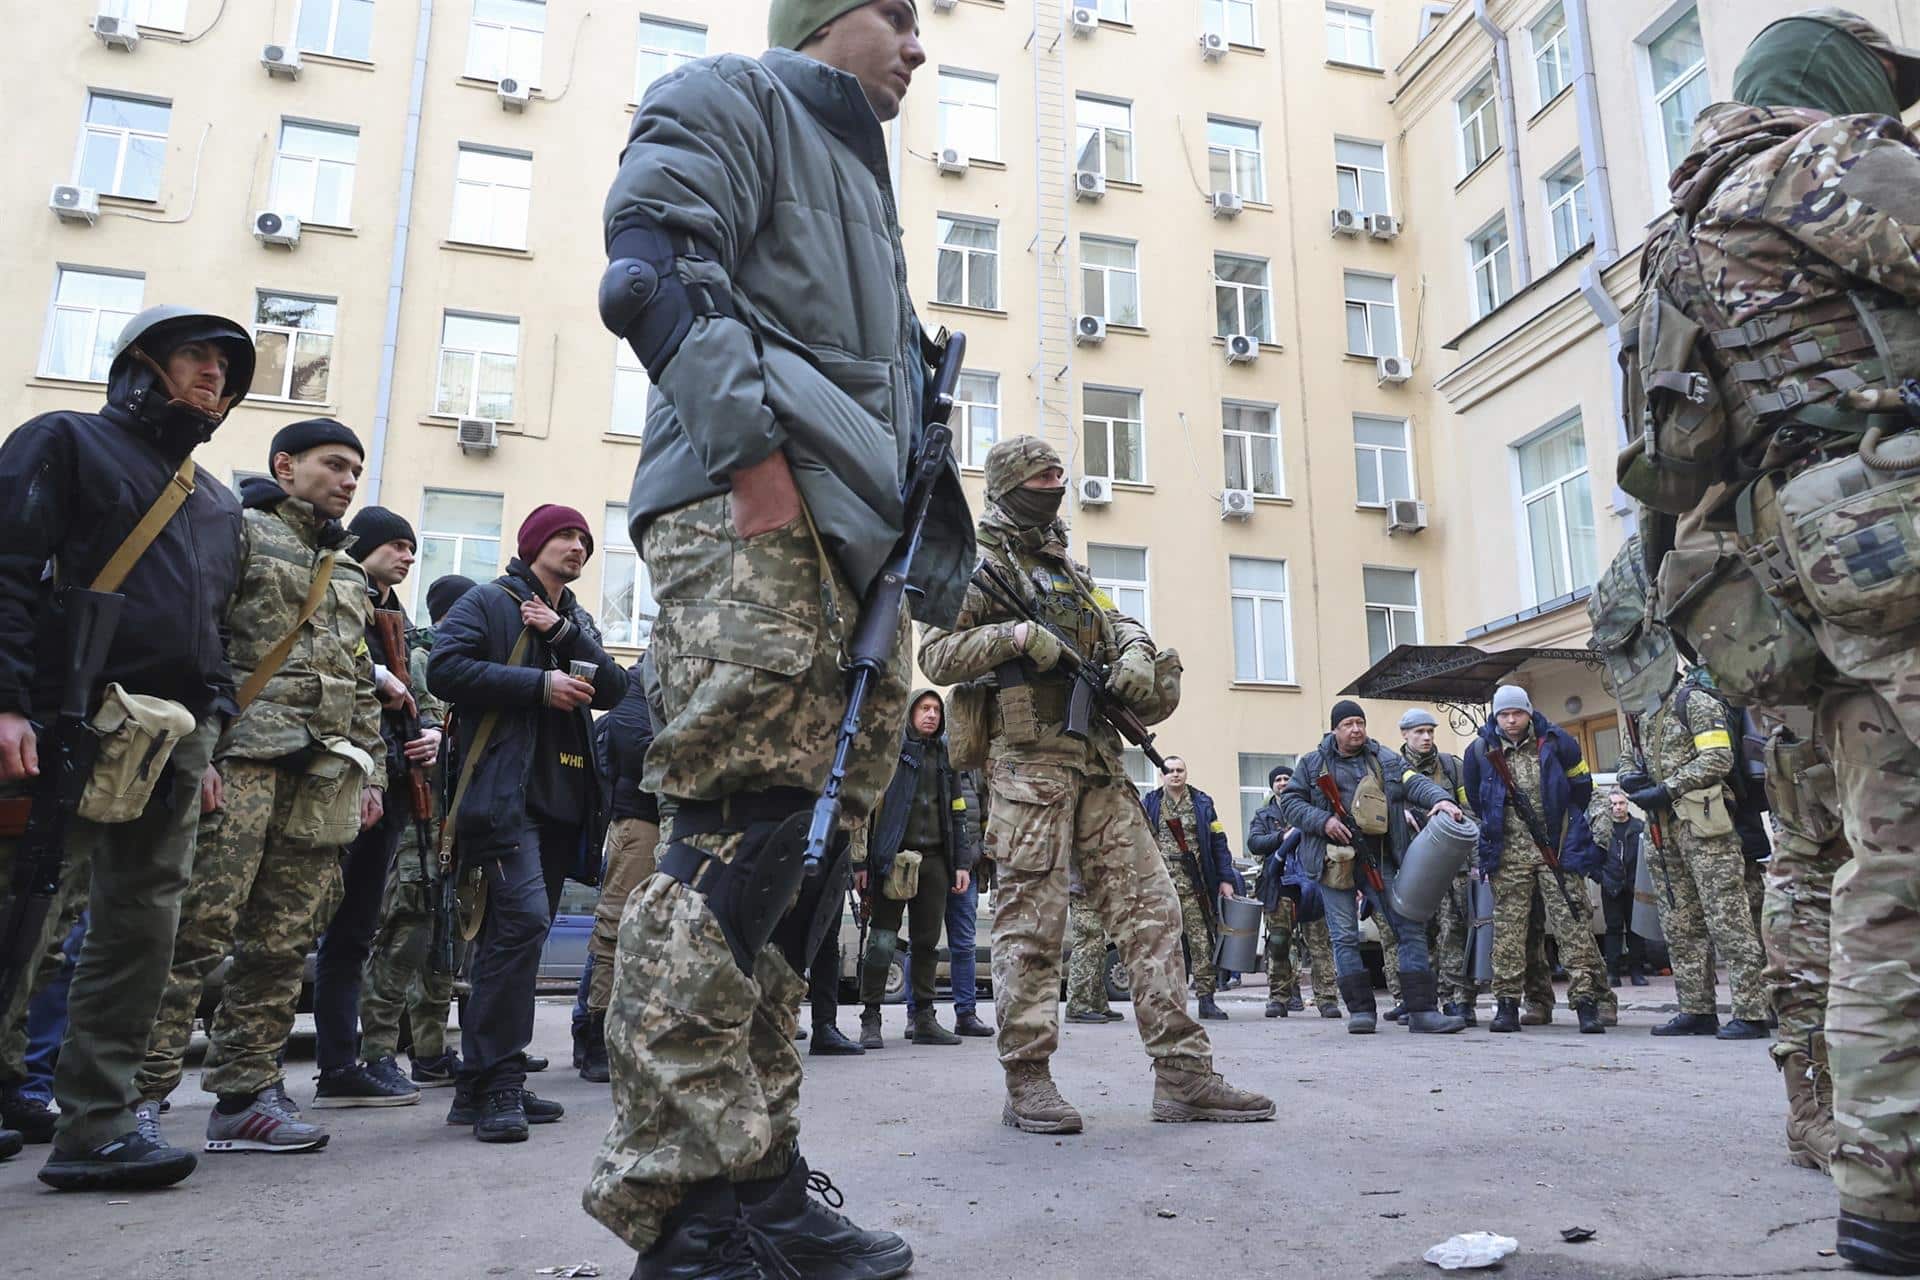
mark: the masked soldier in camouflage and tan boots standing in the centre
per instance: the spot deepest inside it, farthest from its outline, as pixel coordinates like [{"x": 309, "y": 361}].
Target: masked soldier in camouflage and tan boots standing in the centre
[{"x": 1061, "y": 799}]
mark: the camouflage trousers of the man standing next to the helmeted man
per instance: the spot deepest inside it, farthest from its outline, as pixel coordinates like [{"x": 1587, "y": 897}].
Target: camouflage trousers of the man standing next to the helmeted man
[{"x": 260, "y": 899}]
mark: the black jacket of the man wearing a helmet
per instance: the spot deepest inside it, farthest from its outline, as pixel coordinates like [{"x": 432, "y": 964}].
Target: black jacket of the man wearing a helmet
[{"x": 72, "y": 488}]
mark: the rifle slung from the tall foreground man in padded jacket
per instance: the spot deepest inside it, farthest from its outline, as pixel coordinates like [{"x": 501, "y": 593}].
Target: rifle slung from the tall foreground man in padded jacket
[{"x": 886, "y": 598}]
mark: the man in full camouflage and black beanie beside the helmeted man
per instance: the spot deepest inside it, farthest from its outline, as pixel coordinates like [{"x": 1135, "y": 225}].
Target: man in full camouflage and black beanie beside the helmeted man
[{"x": 281, "y": 776}]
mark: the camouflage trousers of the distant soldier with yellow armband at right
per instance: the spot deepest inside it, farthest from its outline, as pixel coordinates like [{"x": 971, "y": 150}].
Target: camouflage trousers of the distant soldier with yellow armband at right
[{"x": 1702, "y": 893}]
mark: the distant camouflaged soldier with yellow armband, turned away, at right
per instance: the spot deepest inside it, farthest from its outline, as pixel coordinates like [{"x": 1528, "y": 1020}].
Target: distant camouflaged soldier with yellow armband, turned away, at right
[{"x": 1700, "y": 868}]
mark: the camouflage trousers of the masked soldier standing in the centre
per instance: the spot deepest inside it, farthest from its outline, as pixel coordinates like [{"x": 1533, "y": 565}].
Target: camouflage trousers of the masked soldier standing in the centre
[{"x": 1042, "y": 818}]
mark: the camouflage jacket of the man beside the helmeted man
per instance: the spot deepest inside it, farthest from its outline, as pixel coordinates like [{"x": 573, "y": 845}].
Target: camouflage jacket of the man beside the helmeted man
[{"x": 324, "y": 692}]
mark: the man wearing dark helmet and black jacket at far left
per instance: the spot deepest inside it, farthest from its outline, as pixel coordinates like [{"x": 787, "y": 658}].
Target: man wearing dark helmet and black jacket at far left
[{"x": 72, "y": 490}]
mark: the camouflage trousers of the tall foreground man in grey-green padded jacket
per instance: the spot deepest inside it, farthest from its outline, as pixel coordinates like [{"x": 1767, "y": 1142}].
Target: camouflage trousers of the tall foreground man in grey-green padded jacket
[{"x": 706, "y": 1081}]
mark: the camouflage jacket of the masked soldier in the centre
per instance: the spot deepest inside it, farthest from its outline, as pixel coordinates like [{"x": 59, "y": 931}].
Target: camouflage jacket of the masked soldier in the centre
[{"x": 984, "y": 640}]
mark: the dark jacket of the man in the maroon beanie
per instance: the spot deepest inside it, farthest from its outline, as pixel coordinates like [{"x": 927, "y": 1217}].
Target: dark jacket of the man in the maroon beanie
[{"x": 469, "y": 673}]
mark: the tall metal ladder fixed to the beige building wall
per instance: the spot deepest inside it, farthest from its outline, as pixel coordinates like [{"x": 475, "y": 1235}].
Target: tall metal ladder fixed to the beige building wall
[{"x": 1053, "y": 367}]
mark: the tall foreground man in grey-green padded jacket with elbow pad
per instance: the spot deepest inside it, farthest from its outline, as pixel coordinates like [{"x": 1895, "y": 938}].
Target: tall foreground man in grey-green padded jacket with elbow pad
[{"x": 759, "y": 277}]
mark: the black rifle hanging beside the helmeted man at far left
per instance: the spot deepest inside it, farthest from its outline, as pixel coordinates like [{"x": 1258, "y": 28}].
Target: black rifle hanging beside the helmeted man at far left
[{"x": 93, "y": 619}]
